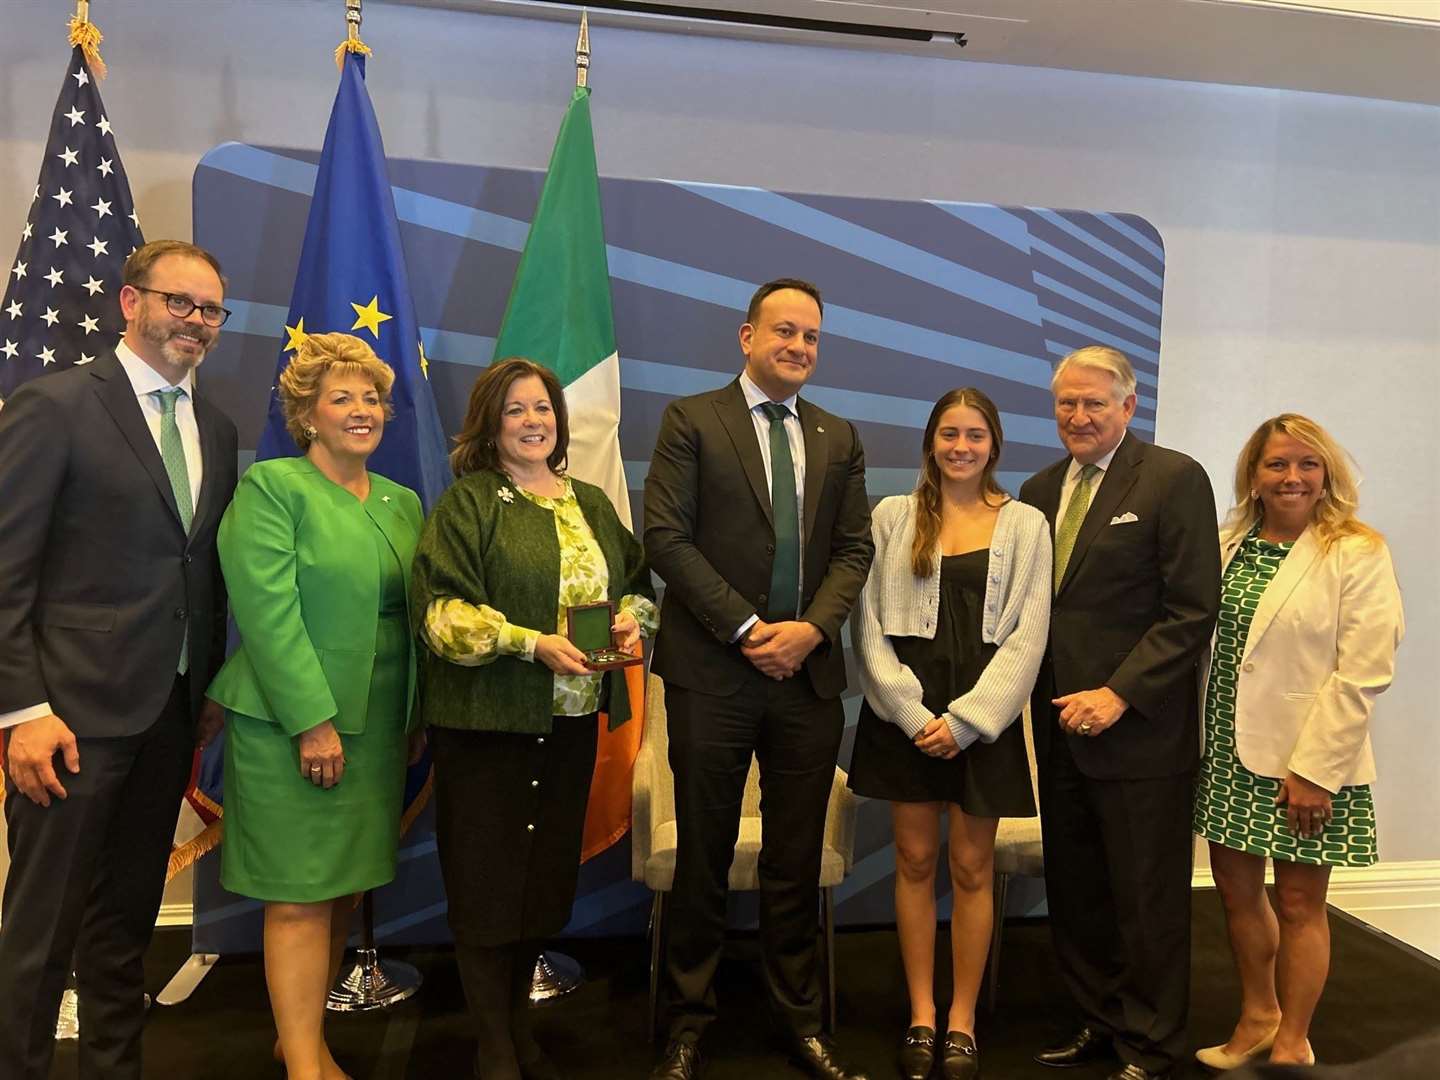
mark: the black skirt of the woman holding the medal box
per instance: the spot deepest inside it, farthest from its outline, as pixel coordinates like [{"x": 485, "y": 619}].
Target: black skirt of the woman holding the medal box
[{"x": 509, "y": 823}]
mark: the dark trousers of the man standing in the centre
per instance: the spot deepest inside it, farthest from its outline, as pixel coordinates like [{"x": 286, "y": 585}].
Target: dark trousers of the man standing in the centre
[{"x": 796, "y": 738}]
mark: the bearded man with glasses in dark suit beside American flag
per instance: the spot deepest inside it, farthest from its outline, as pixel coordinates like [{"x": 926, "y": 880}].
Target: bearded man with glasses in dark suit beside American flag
[{"x": 113, "y": 480}]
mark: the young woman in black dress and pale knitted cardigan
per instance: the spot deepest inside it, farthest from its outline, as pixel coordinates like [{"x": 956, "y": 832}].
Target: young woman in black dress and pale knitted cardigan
[{"x": 948, "y": 636}]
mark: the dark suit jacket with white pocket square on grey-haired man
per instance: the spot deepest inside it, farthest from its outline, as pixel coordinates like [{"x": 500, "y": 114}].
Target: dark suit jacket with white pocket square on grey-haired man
[{"x": 1135, "y": 610}]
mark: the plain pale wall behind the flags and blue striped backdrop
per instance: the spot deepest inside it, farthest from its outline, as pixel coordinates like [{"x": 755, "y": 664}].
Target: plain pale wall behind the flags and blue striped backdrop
[{"x": 1302, "y": 231}]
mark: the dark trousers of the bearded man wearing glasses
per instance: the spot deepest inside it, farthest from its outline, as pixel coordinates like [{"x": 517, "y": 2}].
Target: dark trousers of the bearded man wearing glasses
[{"x": 86, "y": 881}]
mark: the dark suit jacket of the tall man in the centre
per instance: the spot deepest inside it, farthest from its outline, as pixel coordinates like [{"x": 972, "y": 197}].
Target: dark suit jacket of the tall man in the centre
[{"x": 711, "y": 538}]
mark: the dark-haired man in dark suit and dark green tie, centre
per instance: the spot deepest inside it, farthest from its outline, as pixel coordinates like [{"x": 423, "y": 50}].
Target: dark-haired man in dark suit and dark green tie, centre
[{"x": 757, "y": 519}]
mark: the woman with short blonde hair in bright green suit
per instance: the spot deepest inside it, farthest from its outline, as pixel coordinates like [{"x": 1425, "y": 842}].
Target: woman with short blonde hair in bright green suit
[{"x": 316, "y": 554}]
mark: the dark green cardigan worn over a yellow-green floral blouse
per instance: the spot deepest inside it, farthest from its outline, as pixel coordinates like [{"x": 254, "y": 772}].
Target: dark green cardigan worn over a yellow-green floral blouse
[{"x": 483, "y": 549}]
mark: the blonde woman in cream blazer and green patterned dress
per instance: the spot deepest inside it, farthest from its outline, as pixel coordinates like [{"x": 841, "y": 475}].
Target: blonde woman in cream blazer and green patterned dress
[{"x": 1310, "y": 624}]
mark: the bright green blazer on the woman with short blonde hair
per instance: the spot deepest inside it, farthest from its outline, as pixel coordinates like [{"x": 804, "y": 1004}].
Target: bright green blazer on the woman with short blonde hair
[{"x": 299, "y": 558}]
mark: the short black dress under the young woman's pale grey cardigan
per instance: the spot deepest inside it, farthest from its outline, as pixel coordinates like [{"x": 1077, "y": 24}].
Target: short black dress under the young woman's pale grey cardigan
[{"x": 986, "y": 780}]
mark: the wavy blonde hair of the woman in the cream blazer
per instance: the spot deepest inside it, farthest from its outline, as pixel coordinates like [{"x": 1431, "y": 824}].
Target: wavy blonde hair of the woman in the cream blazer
[{"x": 1334, "y": 516}]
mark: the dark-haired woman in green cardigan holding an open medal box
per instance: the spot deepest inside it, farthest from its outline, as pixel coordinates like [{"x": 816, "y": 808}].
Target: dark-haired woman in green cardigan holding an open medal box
[{"x": 510, "y": 705}]
